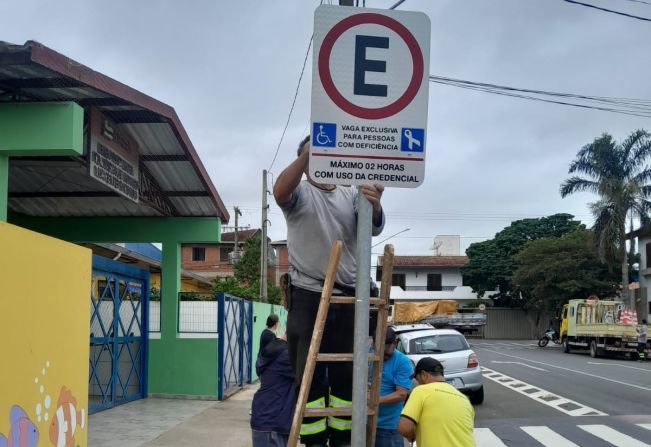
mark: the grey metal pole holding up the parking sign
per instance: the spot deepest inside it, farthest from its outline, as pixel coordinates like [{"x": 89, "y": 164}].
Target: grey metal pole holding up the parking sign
[{"x": 362, "y": 292}]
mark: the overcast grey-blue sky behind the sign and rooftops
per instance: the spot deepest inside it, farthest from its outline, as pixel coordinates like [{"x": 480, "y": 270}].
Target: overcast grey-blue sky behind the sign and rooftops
[{"x": 230, "y": 70}]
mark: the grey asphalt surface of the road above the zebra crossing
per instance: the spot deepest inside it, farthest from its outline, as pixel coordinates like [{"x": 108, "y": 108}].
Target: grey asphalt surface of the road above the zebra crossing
[{"x": 615, "y": 386}]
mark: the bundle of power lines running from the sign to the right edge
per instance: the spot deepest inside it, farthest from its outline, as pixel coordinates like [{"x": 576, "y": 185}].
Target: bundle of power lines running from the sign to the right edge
[{"x": 626, "y": 106}]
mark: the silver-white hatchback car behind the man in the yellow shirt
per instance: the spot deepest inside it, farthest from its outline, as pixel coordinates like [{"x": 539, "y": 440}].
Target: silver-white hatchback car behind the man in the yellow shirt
[{"x": 450, "y": 347}]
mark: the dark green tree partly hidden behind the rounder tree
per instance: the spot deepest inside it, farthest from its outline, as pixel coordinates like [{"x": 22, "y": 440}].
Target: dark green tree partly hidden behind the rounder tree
[{"x": 491, "y": 263}]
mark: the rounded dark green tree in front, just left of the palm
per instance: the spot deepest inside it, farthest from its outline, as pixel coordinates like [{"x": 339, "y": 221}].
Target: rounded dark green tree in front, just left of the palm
[{"x": 551, "y": 271}]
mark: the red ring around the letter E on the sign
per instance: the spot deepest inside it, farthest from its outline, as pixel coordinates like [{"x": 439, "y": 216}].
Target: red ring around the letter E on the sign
[{"x": 329, "y": 85}]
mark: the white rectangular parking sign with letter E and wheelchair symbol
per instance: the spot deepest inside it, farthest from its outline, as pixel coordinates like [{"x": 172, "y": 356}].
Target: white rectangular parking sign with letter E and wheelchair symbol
[{"x": 369, "y": 96}]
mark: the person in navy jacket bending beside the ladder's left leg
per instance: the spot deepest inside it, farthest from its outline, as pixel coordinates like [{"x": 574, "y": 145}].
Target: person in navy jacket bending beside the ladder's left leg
[{"x": 273, "y": 403}]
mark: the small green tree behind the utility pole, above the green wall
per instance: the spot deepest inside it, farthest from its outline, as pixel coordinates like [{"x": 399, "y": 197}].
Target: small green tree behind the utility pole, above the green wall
[{"x": 246, "y": 280}]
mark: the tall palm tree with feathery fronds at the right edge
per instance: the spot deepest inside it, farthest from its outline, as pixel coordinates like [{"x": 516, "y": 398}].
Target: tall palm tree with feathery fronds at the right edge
[{"x": 620, "y": 174}]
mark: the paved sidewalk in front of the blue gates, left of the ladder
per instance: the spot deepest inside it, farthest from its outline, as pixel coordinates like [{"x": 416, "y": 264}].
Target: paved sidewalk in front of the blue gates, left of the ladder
[{"x": 175, "y": 422}]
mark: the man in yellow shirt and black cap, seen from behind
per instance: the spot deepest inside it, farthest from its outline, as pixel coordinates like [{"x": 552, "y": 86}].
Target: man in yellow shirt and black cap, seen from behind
[{"x": 436, "y": 414}]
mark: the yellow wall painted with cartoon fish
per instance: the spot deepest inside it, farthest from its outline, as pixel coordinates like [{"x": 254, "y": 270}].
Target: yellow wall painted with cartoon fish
[{"x": 44, "y": 336}]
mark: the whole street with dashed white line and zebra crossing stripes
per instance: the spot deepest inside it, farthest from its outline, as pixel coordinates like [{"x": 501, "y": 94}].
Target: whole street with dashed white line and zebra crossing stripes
[{"x": 542, "y": 396}]
